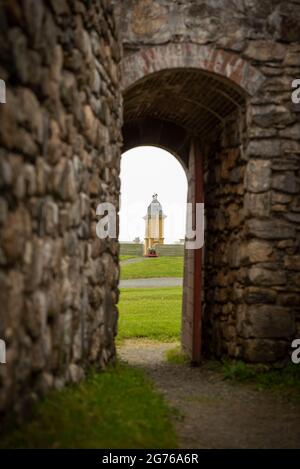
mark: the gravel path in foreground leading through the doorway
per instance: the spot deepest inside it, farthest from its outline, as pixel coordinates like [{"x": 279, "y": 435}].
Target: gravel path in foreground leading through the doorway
[{"x": 217, "y": 413}]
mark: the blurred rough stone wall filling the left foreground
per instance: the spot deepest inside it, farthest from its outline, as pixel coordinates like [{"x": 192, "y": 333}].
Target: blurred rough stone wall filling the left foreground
[{"x": 60, "y": 156}]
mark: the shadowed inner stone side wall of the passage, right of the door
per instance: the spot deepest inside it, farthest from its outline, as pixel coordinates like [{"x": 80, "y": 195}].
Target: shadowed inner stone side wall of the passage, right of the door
[{"x": 224, "y": 234}]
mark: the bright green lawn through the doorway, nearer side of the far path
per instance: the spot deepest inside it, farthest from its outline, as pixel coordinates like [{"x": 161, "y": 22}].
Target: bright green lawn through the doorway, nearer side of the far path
[{"x": 153, "y": 313}]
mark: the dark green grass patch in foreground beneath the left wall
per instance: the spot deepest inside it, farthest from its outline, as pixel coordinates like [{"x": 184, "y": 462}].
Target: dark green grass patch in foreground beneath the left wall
[{"x": 115, "y": 409}]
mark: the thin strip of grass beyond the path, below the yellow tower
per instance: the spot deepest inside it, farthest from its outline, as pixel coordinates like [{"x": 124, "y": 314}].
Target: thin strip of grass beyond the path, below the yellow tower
[{"x": 153, "y": 267}]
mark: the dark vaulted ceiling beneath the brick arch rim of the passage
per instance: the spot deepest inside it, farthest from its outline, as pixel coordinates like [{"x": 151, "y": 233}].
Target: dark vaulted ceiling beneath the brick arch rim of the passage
[{"x": 195, "y": 100}]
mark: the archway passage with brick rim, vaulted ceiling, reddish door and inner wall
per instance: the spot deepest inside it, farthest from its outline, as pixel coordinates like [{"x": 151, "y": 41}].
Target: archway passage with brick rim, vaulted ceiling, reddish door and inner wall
[{"x": 193, "y": 100}]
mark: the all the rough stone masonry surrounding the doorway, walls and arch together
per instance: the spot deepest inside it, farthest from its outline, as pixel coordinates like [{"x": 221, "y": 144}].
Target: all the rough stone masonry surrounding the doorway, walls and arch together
[{"x": 216, "y": 71}]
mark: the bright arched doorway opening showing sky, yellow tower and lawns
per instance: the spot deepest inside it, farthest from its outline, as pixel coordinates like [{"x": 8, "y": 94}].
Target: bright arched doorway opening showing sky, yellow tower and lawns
[{"x": 152, "y": 218}]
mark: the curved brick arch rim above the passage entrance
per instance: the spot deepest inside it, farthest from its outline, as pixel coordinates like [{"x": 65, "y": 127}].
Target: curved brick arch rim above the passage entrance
[{"x": 225, "y": 65}]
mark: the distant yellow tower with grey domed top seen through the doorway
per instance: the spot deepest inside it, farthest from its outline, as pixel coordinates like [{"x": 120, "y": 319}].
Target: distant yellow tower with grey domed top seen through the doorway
[{"x": 154, "y": 225}]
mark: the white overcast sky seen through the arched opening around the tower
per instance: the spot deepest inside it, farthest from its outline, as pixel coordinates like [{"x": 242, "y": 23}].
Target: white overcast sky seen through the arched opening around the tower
[{"x": 144, "y": 172}]
